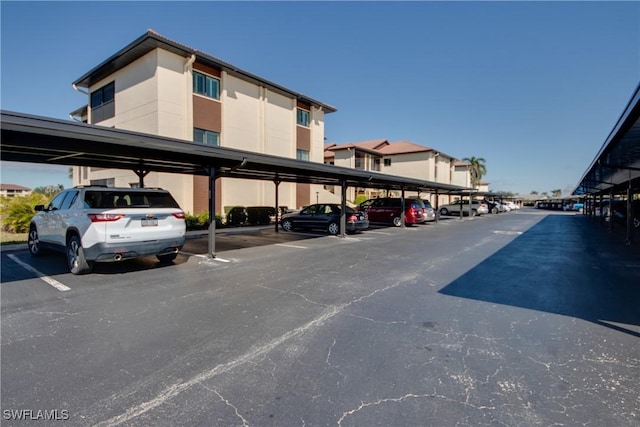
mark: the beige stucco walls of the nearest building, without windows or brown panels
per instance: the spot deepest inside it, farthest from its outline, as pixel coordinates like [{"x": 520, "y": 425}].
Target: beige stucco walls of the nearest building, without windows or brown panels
[{"x": 154, "y": 95}]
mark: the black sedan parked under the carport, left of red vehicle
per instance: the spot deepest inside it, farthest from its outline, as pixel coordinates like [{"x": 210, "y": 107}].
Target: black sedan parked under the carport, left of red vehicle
[{"x": 325, "y": 216}]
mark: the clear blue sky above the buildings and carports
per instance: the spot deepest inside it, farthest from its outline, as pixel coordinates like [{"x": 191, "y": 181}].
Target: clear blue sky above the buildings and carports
[{"x": 532, "y": 87}]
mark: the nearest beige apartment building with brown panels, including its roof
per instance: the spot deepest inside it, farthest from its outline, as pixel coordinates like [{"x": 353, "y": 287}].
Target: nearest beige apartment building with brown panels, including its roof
[{"x": 160, "y": 87}]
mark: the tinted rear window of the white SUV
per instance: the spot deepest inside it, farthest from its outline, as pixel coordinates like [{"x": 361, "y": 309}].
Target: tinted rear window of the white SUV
[{"x": 137, "y": 199}]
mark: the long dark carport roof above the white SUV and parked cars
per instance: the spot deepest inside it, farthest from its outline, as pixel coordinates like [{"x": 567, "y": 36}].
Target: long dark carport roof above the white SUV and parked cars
[{"x": 36, "y": 139}]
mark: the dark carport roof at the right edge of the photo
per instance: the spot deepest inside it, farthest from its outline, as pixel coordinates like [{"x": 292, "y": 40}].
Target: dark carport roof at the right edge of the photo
[{"x": 617, "y": 164}]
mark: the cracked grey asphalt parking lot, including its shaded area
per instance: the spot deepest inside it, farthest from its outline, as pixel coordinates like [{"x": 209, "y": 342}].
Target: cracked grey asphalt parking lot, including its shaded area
[{"x": 527, "y": 318}]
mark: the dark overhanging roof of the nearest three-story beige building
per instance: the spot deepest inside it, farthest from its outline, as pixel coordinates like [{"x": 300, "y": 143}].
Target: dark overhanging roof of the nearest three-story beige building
[{"x": 151, "y": 40}]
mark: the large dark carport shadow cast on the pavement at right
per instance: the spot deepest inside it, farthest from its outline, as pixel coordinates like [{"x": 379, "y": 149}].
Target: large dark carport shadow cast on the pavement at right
[{"x": 564, "y": 265}]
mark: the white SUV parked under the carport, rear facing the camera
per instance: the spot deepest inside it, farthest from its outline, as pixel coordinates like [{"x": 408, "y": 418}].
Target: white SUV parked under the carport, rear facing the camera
[{"x": 108, "y": 224}]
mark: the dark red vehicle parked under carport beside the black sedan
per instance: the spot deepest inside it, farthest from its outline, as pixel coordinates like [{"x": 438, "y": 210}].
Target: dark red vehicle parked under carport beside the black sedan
[{"x": 388, "y": 210}]
